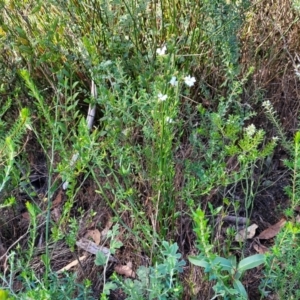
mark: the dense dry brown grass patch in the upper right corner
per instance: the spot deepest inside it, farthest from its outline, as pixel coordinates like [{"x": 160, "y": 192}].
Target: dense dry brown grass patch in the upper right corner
[{"x": 271, "y": 44}]
